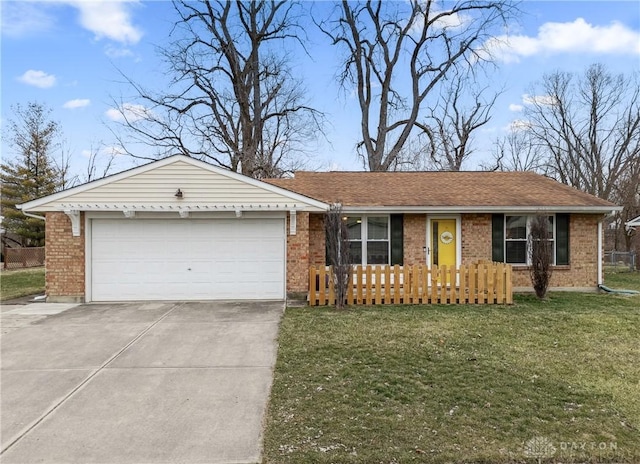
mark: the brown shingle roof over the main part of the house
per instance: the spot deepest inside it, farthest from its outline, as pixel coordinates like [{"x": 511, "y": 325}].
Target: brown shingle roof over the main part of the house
[{"x": 439, "y": 189}]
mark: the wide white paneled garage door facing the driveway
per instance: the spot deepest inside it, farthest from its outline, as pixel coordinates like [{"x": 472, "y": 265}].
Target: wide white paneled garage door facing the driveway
[{"x": 187, "y": 259}]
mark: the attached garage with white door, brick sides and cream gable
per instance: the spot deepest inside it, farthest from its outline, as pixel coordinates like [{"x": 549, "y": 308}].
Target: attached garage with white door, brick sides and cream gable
[{"x": 175, "y": 229}]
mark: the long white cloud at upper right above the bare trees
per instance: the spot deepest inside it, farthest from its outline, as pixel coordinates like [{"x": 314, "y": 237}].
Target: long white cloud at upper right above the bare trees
[{"x": 578, "y": 36}]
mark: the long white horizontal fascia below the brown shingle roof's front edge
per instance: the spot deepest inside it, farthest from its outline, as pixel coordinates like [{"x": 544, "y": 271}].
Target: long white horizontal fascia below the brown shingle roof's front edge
[{"x": 479, "y": 209}]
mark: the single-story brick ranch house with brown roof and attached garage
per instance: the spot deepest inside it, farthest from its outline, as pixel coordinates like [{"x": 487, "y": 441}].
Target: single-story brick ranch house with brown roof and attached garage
[{"x": 183, "y": 229}]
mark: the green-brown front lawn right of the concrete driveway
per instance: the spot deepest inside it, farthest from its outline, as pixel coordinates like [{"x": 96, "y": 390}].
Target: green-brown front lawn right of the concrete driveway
[{"x": 453, "y": 384}]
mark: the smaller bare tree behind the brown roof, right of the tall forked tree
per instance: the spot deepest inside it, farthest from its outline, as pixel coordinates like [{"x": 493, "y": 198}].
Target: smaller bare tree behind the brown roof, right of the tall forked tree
[{"x": 451, "y": 124}]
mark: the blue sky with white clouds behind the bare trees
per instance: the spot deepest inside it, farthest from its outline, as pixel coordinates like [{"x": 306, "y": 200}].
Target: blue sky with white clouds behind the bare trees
[{"x": 68, "y": 54}]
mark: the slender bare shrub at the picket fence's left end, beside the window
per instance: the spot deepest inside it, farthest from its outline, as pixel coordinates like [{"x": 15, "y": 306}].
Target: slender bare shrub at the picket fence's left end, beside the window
[{"x": 338, "y": 252}]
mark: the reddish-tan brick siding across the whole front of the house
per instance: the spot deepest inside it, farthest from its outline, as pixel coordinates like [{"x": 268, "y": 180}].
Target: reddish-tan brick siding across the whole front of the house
[{"x": 65, "y": 256}]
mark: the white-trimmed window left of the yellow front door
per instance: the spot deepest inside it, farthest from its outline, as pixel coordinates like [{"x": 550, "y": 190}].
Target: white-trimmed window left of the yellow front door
[{"x": 368, "y": 239}]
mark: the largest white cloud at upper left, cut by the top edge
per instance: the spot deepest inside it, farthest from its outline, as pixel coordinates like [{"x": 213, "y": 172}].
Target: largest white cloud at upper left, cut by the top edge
[{"x": 108, "y": 19}]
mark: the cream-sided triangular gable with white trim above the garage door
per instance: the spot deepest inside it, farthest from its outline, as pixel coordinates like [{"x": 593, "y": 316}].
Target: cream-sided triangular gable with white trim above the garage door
[{"x": 154, "y": 186}]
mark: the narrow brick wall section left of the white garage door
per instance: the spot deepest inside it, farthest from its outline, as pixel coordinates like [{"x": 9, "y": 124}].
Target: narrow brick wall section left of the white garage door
[{"x": 65, "y": 264}]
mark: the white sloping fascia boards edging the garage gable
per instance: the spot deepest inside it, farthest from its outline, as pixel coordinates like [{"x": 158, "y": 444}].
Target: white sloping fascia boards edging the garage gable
[{"x": 307, "y": 202}]
